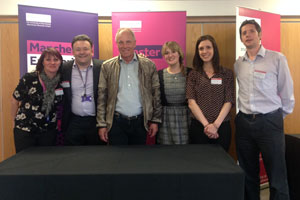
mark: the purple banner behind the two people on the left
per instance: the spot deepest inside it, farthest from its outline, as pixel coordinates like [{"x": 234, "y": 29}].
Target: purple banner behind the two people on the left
[{"x": 40, "y": 28}]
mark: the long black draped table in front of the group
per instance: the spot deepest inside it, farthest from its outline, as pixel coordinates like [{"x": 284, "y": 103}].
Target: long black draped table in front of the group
[{"x": 122, "y": 172}]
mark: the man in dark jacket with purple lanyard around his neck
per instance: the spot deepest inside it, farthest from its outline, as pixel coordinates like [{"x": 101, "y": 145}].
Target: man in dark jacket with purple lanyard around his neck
[{"x": 80, "y": 83}]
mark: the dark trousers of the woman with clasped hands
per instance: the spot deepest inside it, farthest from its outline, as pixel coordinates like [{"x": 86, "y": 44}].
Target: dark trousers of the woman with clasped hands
[{"x": 197, "y": 135}]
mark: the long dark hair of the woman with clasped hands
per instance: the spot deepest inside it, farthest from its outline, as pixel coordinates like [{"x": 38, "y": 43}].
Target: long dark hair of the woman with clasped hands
[{"x": 198, "y": 62}]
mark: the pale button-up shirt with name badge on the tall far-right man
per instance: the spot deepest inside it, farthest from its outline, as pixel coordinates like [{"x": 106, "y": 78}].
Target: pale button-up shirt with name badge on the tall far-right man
[{"x": 265, "y": 84}]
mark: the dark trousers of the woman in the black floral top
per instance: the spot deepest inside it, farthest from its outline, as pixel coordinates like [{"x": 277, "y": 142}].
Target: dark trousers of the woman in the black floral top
[{"x": 24, "y": 139}]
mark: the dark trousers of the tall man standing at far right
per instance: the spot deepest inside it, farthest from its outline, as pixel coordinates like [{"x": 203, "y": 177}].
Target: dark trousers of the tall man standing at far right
[{"x": 264, "y": 134}]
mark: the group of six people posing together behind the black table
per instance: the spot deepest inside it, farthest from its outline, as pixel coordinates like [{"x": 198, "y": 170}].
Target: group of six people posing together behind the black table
[{"x": 125, "y": 100}]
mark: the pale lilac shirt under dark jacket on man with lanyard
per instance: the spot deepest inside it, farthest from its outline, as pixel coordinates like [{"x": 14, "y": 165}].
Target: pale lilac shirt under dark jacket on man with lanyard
[{"x": 86, "y": 108}]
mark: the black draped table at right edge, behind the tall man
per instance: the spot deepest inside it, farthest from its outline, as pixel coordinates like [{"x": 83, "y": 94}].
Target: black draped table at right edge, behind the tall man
[{"x": 293, "y": 164}]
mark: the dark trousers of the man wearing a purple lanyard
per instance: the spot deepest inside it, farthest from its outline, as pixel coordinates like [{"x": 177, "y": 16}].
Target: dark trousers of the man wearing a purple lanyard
[{"x": 82, "y": 131}]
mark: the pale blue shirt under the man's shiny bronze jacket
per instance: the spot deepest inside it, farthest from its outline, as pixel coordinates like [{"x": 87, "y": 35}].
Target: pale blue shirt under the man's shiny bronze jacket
[{"x": 129, "y": 97}]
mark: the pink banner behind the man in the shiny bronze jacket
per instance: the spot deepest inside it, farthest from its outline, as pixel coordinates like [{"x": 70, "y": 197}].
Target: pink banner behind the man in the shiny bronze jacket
[{"x": 152, "y": 30}]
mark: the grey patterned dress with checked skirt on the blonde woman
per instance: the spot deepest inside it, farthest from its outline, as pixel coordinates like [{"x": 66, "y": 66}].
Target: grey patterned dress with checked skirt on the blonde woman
[{"x": 175, "y": 115}]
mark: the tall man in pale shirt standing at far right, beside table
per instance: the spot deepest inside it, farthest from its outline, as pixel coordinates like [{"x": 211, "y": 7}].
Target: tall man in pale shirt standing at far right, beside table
[{"x": 265, "y": 97}]
